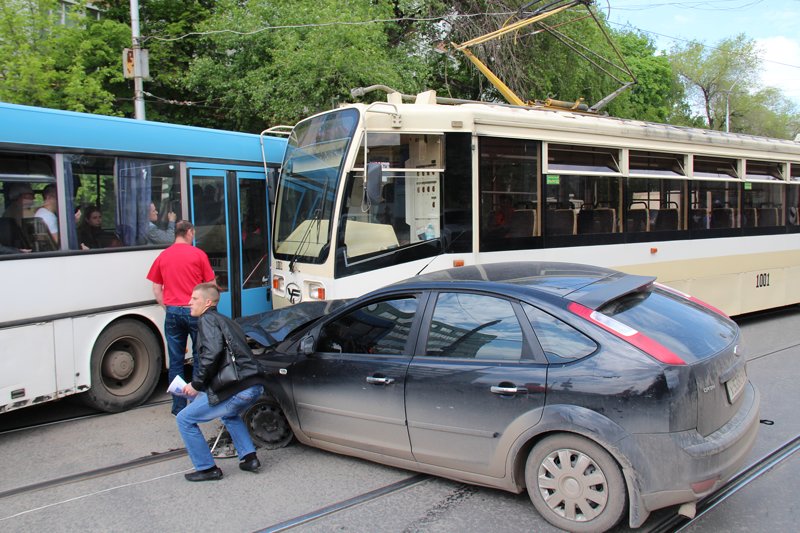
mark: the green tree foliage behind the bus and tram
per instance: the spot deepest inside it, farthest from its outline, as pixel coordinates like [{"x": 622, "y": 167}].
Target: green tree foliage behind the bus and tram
[{"x": 248, "y": 64}]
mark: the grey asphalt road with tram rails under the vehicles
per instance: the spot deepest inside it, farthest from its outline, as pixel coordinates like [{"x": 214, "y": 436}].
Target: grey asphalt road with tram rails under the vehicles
[{"x": 303, "y": 489}]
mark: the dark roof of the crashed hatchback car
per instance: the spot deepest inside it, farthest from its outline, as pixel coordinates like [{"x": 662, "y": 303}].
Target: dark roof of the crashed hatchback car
[{"x": 588, "y": 285}]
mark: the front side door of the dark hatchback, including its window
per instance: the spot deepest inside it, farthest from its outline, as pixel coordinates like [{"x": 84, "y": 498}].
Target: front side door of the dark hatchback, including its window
[{"x": 350, "y": 391}]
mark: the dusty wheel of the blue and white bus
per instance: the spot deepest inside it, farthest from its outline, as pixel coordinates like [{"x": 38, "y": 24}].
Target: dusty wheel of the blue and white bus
[{"x": 126, "y": 364}]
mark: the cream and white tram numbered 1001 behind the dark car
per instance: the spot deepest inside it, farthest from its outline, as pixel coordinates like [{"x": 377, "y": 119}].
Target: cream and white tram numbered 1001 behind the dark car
[{"x": 373, "y": 193}]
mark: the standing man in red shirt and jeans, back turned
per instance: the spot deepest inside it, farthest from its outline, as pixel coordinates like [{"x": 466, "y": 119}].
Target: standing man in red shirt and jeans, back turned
[{"x": 175, "y": 273}]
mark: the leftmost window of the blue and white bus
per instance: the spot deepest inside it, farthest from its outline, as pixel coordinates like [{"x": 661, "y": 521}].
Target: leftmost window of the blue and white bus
[{"x": 29, "y": 208}]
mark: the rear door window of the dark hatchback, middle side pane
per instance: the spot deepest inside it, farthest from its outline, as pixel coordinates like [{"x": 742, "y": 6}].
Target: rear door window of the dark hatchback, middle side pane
[{"x": 474, "y": 326}]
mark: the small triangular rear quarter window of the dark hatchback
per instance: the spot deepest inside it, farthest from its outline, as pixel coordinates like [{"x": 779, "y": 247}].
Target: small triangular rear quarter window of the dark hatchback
[{"x": 560, "y": 341}]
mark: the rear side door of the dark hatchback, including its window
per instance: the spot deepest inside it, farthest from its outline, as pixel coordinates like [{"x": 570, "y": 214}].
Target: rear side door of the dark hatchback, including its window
[{"x": 473, "y": 385}]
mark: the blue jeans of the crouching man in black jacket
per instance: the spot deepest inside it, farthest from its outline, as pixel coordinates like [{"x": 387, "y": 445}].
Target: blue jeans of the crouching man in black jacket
[{"x": 229, "y": 411}]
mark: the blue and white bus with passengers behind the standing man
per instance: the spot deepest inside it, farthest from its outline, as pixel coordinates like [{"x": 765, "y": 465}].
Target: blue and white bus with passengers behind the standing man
[{"x": 88, "y": 202}]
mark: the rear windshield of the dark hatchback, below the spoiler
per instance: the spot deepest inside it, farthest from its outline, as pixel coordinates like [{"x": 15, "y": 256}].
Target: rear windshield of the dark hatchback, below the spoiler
[{"x": 689, "y": 330}]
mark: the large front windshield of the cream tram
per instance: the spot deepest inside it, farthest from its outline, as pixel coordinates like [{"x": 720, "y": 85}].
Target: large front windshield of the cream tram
[{"x": 307, "y": 190}]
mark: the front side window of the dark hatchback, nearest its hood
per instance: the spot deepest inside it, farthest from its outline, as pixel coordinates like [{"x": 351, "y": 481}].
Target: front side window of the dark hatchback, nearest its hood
[{"x": 376, "y": 328}]
